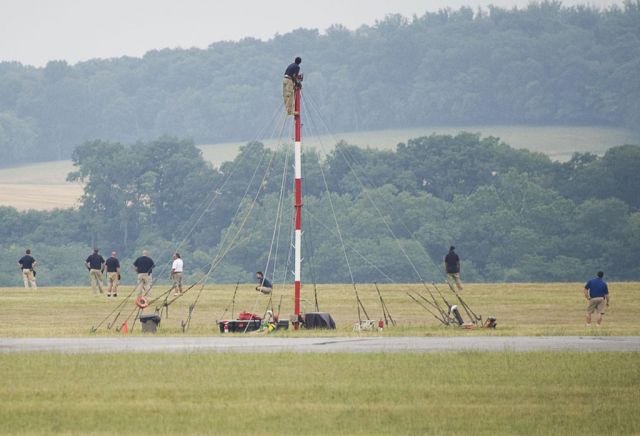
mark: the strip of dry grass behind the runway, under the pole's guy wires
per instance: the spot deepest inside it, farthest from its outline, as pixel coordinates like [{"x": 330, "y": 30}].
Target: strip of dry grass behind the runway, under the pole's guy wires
[{"x": 521, "y": 309}]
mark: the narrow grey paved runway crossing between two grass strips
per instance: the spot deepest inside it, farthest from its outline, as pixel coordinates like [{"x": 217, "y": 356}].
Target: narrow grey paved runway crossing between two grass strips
[{"x": 267, "y": 344}]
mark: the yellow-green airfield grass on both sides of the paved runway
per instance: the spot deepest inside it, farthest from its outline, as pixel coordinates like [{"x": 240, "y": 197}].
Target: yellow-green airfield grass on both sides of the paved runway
[{"x": 544, "y": 393}]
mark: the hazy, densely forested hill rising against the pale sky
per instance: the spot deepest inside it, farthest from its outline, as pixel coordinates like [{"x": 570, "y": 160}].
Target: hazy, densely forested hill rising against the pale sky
[{"x": 545, "y": 64}]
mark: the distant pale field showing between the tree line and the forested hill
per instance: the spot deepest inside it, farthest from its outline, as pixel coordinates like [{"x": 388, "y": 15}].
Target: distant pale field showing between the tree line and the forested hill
[{"x": 43, "y": 186}]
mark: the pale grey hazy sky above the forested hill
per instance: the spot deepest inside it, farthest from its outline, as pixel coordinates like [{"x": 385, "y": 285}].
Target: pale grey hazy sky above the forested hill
[{"x": 36, "y": 31}]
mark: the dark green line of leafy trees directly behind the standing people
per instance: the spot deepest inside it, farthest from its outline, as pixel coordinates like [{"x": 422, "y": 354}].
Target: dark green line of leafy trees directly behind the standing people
[{"x": 514, "y": 215}]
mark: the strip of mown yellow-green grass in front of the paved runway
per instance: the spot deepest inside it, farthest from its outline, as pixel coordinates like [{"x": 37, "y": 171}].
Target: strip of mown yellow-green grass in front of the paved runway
[{"x": 459, "y": 393}]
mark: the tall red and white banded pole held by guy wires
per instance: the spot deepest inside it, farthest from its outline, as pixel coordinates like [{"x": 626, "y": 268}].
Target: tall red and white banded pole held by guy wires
[{"x": 298, "y": 199}]
